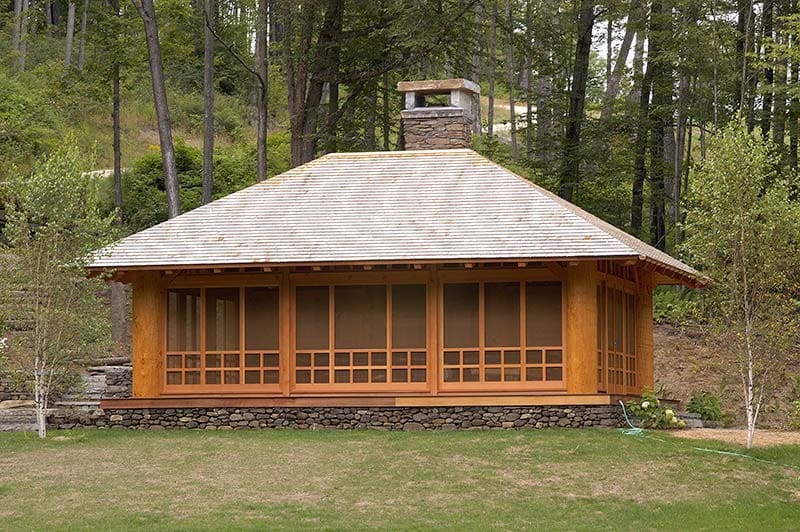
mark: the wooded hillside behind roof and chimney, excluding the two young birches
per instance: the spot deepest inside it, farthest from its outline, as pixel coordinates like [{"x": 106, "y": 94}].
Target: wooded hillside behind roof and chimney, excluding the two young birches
[{"x": 613, "y": 103}]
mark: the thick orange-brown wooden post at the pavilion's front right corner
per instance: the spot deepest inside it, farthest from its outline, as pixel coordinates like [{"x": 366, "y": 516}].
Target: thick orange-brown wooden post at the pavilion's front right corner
[{"x": 581, "y": 328}]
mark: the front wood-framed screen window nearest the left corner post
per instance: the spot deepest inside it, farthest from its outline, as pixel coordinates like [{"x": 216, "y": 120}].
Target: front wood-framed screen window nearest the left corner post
[{"x": 222, "y": 339}]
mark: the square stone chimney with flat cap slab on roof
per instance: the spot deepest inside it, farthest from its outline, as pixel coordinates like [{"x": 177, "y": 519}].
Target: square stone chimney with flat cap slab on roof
[{"x": 440, "y": 113}]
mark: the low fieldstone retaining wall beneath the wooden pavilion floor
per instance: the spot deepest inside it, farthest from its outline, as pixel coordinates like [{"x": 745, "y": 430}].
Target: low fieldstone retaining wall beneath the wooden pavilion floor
[{"x": 405, "y": 418}]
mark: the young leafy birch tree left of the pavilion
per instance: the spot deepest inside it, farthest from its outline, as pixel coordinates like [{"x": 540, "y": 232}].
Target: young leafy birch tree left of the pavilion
[{"x": 52, "y": 308}]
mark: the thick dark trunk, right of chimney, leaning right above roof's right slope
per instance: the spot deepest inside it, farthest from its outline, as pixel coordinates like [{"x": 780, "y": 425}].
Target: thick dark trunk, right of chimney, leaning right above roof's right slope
[{"x": 570, "y": 169}]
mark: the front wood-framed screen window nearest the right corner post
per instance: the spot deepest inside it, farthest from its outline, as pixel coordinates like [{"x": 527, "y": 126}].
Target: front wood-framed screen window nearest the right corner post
[{"x": 502, "y": 336}]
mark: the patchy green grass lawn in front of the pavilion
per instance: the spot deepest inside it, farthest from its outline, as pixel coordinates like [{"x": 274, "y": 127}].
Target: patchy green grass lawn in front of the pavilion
[{"x": 551, "y": 479}]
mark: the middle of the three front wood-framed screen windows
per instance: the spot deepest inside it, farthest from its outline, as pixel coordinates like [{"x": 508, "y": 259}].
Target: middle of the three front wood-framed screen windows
[{"x": 360, "y": 337}]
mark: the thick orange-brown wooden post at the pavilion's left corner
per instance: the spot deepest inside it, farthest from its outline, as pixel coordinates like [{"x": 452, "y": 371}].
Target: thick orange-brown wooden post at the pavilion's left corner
[{"x": 148, "y": 335}]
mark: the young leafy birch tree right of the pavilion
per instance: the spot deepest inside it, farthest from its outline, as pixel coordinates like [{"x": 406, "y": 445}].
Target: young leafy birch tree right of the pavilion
[{"x": 743, "y": 230}]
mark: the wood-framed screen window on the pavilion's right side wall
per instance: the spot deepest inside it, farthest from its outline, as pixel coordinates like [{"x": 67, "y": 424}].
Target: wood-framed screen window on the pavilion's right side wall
[{"x": 616, "y": 339}]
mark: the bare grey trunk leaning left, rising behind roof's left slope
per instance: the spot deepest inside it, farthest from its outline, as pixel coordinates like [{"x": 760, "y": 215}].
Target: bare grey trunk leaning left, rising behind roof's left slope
[{"x": 147, "y": 11}]
